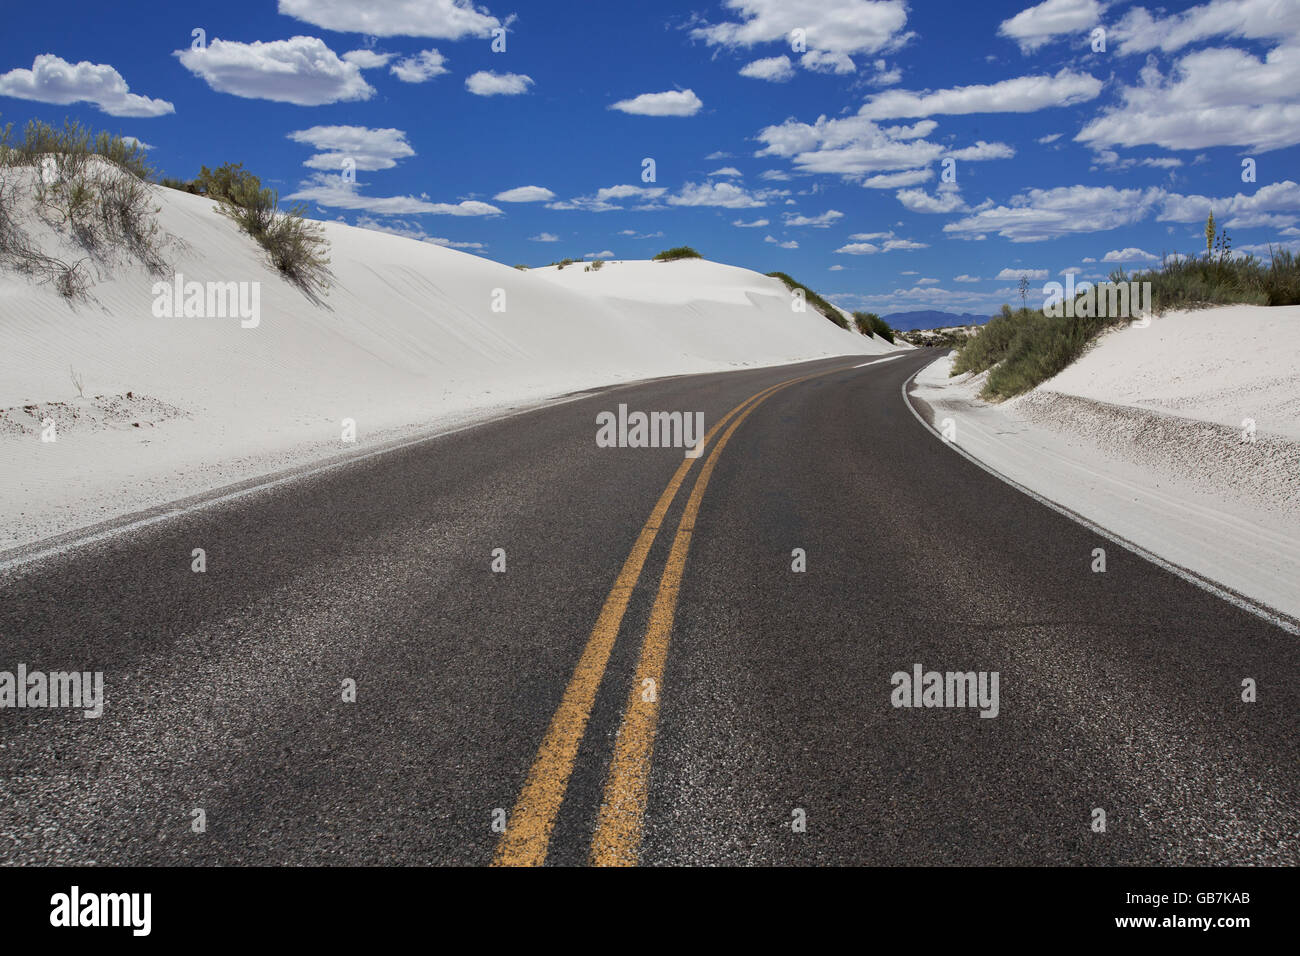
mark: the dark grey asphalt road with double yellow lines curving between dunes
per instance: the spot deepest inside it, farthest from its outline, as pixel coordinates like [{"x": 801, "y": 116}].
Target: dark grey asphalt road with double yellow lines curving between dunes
[{"x": 768, "y": 736}]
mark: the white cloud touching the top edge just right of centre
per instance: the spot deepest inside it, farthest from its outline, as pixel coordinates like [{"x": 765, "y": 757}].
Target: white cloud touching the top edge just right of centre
[{"x": 846, "y": 27}]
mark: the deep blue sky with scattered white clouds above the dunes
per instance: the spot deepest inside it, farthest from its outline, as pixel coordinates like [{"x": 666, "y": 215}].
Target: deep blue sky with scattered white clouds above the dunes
[{"x": 820, "y": 153}]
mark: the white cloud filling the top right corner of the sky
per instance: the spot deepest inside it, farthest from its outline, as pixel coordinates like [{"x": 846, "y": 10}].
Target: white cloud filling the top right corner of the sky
[{"x": 1255, "y": 20}]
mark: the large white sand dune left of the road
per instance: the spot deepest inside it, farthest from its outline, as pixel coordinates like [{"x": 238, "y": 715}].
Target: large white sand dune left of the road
[{"x": 408, "y": 341}]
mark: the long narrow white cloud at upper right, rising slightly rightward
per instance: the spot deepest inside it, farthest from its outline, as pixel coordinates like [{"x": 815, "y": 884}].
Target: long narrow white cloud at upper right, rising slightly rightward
[{"x": 1019, "y": 96}]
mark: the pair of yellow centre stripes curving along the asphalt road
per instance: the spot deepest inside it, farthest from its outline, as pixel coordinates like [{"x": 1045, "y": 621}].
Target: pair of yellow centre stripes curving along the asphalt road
[{"x": 618, "y": 836}]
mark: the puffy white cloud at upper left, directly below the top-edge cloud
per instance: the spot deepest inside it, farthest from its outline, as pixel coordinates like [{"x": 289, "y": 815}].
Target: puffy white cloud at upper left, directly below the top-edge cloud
[{"x": 301, "y": 71}]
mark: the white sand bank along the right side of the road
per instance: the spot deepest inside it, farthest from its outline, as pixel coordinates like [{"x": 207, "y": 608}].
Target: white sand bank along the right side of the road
[{"x": 1145, "y": 438}]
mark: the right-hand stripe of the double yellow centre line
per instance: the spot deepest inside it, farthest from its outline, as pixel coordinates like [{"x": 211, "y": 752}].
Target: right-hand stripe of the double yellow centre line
[{"x": 619, "y": 825}]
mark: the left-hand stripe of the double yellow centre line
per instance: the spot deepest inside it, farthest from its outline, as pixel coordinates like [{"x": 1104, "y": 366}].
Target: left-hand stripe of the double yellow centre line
[{"x": 528, "y": 832}]
